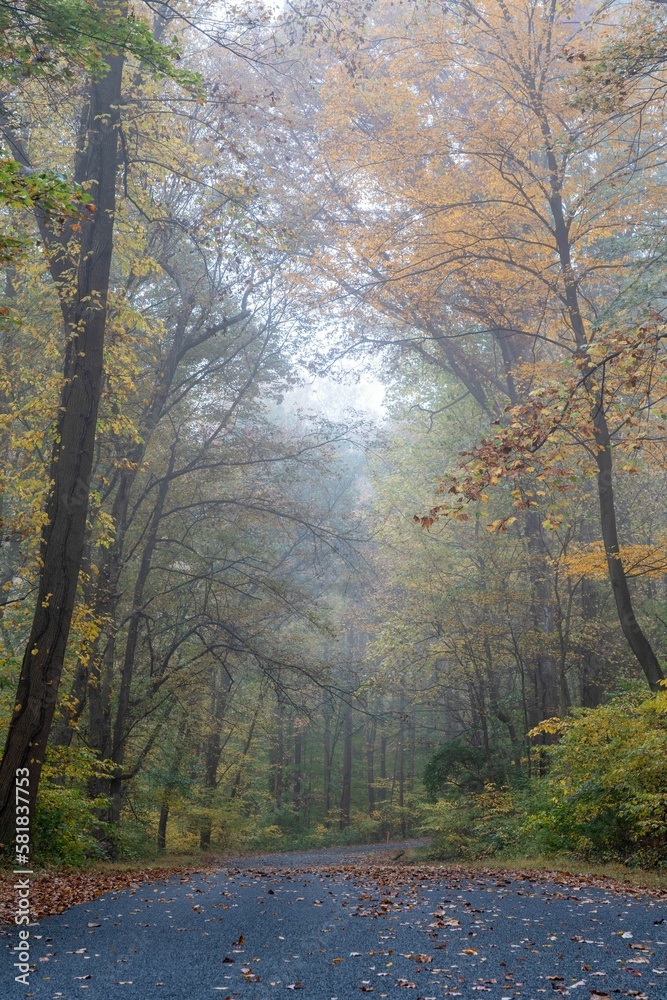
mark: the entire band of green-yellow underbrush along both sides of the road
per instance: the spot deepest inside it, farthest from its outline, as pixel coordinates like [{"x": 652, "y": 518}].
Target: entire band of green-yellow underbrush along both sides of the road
[{"x": 602, "y": 797}]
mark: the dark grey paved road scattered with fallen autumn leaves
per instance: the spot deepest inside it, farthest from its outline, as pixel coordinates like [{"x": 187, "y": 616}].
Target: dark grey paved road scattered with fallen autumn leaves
[{"x": 334, "y": 924}]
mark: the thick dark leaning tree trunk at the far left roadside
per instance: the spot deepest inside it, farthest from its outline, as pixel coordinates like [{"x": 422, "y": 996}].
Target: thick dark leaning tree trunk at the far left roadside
[{"x": 64, "y": 532}]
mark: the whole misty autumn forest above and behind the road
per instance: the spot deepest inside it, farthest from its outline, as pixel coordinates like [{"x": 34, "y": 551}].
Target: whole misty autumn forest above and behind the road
[{"x": 240, "y": 613}]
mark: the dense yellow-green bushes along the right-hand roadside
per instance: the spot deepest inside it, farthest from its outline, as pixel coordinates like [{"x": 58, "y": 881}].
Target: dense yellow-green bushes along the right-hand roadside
[{"x": 603, "y": 798}]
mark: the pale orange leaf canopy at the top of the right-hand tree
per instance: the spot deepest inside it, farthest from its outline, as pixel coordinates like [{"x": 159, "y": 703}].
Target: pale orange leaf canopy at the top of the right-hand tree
[{"x": 448, "y": 141}]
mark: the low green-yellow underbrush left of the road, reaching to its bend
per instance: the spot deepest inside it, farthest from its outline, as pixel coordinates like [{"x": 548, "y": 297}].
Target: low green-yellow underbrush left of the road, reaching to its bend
[{"x": 69, "y": 831}]
